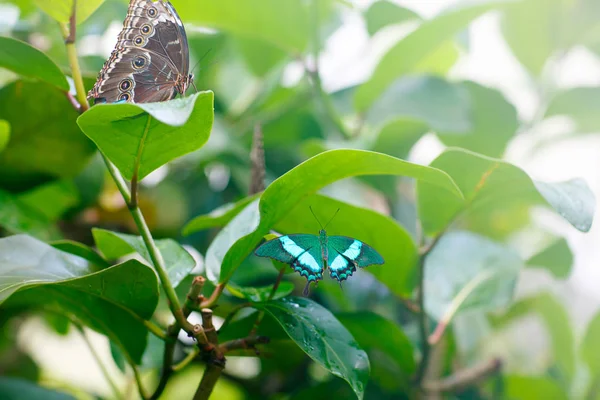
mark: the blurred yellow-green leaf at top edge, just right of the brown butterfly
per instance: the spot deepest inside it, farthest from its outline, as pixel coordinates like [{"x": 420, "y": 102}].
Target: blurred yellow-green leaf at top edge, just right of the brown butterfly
[{"x": 282, "y": 23}]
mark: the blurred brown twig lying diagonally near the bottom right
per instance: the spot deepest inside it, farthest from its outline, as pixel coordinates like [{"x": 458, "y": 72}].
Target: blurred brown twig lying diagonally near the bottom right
[{"x": 464, "y": 378}]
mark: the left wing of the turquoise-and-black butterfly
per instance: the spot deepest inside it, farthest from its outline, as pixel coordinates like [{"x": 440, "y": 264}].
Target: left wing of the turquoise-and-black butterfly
[{"x": 301, "y": 252}]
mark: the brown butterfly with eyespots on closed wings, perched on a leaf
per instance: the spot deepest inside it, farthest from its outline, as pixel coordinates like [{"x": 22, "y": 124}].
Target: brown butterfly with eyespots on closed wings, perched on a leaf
[{"x": 150, "y": 62}]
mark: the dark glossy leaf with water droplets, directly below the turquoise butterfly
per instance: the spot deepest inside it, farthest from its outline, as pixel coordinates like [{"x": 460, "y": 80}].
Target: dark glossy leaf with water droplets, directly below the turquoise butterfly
[{"x": 316, "y": 331}]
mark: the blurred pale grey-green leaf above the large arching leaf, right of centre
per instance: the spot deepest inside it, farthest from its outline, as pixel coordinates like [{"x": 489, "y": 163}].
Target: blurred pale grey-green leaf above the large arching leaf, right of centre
[{"x": 435, "y": 101}]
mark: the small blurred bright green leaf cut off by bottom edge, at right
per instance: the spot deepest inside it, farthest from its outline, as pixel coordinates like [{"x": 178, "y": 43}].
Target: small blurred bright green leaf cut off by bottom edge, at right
[{"x": 532, "y": 388}]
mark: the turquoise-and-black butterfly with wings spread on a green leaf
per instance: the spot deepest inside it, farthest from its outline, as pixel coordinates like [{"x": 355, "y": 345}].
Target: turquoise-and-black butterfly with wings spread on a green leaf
[{"x": 310, "y": 255}]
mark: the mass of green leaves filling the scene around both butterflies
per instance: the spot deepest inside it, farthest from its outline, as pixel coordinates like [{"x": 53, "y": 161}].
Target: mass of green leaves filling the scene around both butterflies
[{"x": 67, "y": 234}]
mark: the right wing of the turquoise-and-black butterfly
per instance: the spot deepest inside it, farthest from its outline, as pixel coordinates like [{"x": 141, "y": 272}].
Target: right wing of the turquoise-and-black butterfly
[{"x": 345, "y": 254}]
